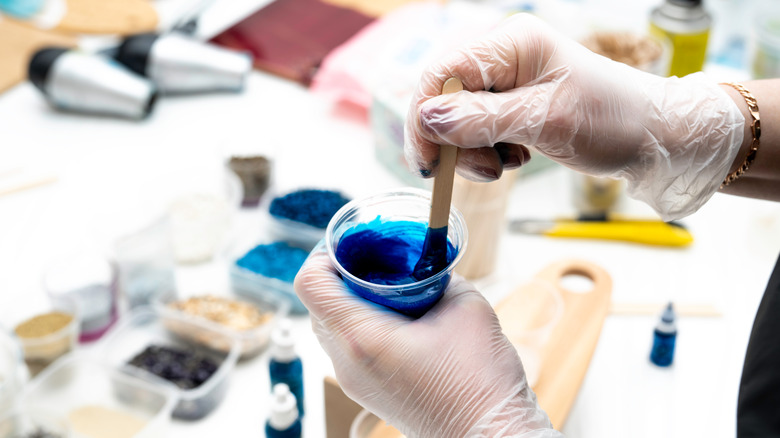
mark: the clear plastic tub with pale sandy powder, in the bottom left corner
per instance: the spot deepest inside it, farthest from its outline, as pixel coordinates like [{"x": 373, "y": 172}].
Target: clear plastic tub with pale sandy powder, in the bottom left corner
[{"x": 75, "y": 382}]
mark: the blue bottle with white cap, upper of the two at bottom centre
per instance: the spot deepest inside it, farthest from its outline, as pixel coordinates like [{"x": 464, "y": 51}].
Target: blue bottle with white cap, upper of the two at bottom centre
[{"x": 285, "y": 365}]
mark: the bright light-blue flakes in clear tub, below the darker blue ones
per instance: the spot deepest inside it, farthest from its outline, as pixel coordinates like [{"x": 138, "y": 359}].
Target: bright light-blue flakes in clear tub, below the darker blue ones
[{"x": 274, "y": 260}]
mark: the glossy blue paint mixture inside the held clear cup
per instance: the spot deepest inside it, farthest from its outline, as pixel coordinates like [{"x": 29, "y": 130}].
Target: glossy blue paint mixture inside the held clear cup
[{"x": 385, "y": 253}]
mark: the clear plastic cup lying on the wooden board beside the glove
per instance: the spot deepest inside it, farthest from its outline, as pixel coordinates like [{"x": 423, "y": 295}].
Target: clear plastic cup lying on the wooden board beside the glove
[{"x": 528, "y": 324}]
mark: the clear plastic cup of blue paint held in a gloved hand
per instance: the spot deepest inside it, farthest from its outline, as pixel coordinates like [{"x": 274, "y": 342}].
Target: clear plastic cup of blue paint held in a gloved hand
[{"x": 402, "y": 214}]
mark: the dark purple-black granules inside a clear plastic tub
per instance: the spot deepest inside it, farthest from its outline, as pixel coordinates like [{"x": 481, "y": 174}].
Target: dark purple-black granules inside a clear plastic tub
[{"x": 186, "y": 369}]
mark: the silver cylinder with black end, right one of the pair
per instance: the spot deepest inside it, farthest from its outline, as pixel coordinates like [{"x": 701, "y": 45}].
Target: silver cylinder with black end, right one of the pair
[{"x": 179, "y": 64}]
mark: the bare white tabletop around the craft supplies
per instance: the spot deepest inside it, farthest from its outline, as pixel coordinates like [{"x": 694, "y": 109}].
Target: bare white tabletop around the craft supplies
[{"x": 108, "y": 170}]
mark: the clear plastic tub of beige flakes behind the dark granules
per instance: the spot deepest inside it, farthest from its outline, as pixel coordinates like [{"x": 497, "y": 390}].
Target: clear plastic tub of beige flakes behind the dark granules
[{"x": 248, "y": 320}]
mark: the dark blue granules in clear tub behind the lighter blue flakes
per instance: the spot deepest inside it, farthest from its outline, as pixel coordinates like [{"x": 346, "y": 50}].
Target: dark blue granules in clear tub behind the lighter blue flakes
[{"x": 309, "y": 206}]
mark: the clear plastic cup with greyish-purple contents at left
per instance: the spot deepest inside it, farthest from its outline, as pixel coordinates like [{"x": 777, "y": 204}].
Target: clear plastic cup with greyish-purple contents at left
[{"x": 90, "y": 281}]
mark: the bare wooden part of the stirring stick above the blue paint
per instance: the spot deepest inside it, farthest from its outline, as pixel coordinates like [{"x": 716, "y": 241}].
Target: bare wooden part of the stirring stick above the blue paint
[{"x": 442, "y": 184}]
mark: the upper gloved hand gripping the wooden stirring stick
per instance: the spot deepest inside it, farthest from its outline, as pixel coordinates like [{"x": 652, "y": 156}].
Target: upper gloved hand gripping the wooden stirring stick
[{"x": 673, "y": 139}]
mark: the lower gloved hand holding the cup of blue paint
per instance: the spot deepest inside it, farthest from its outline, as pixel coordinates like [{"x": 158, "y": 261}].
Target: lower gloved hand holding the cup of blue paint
[{"x": 450, "y": 373}]
